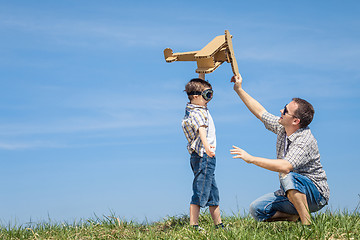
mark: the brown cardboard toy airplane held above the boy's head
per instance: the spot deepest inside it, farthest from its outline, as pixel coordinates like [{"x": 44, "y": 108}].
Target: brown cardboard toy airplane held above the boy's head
[{"x": 219, "y": 50}]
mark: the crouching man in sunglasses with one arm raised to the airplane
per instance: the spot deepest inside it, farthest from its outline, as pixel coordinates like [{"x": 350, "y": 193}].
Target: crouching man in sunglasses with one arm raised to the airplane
[{"x": 303, "y": 182}]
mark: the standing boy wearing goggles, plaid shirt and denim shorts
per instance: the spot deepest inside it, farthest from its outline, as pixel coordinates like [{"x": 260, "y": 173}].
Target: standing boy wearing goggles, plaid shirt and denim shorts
[{"x": 199, "y": 130}]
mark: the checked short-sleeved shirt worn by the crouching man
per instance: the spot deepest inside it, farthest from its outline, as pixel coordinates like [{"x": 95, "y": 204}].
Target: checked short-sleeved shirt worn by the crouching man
[{"x": 301, "y": 150}]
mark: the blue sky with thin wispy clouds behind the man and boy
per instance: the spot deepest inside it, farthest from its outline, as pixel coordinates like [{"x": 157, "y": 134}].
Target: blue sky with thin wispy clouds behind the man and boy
[{"x": 91, "y": 112}]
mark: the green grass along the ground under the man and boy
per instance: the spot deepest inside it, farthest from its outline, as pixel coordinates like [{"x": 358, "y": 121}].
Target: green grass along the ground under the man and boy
[{"x": 327, "y": 225}]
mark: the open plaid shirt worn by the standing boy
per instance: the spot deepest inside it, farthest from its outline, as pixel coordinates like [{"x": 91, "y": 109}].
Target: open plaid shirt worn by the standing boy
[{"x": 195, "y": 117}]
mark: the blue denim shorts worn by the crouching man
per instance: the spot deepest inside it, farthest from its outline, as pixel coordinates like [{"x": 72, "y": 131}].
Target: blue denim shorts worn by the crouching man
[{"x": 266, "y": 206}]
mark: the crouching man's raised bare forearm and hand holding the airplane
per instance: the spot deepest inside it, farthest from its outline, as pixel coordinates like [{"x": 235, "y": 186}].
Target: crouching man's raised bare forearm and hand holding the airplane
[{"x": 254, "y": 106}]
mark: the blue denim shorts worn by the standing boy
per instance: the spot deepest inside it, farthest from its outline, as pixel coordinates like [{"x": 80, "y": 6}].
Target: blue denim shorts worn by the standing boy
[{"x": 205, "y": 191}]
